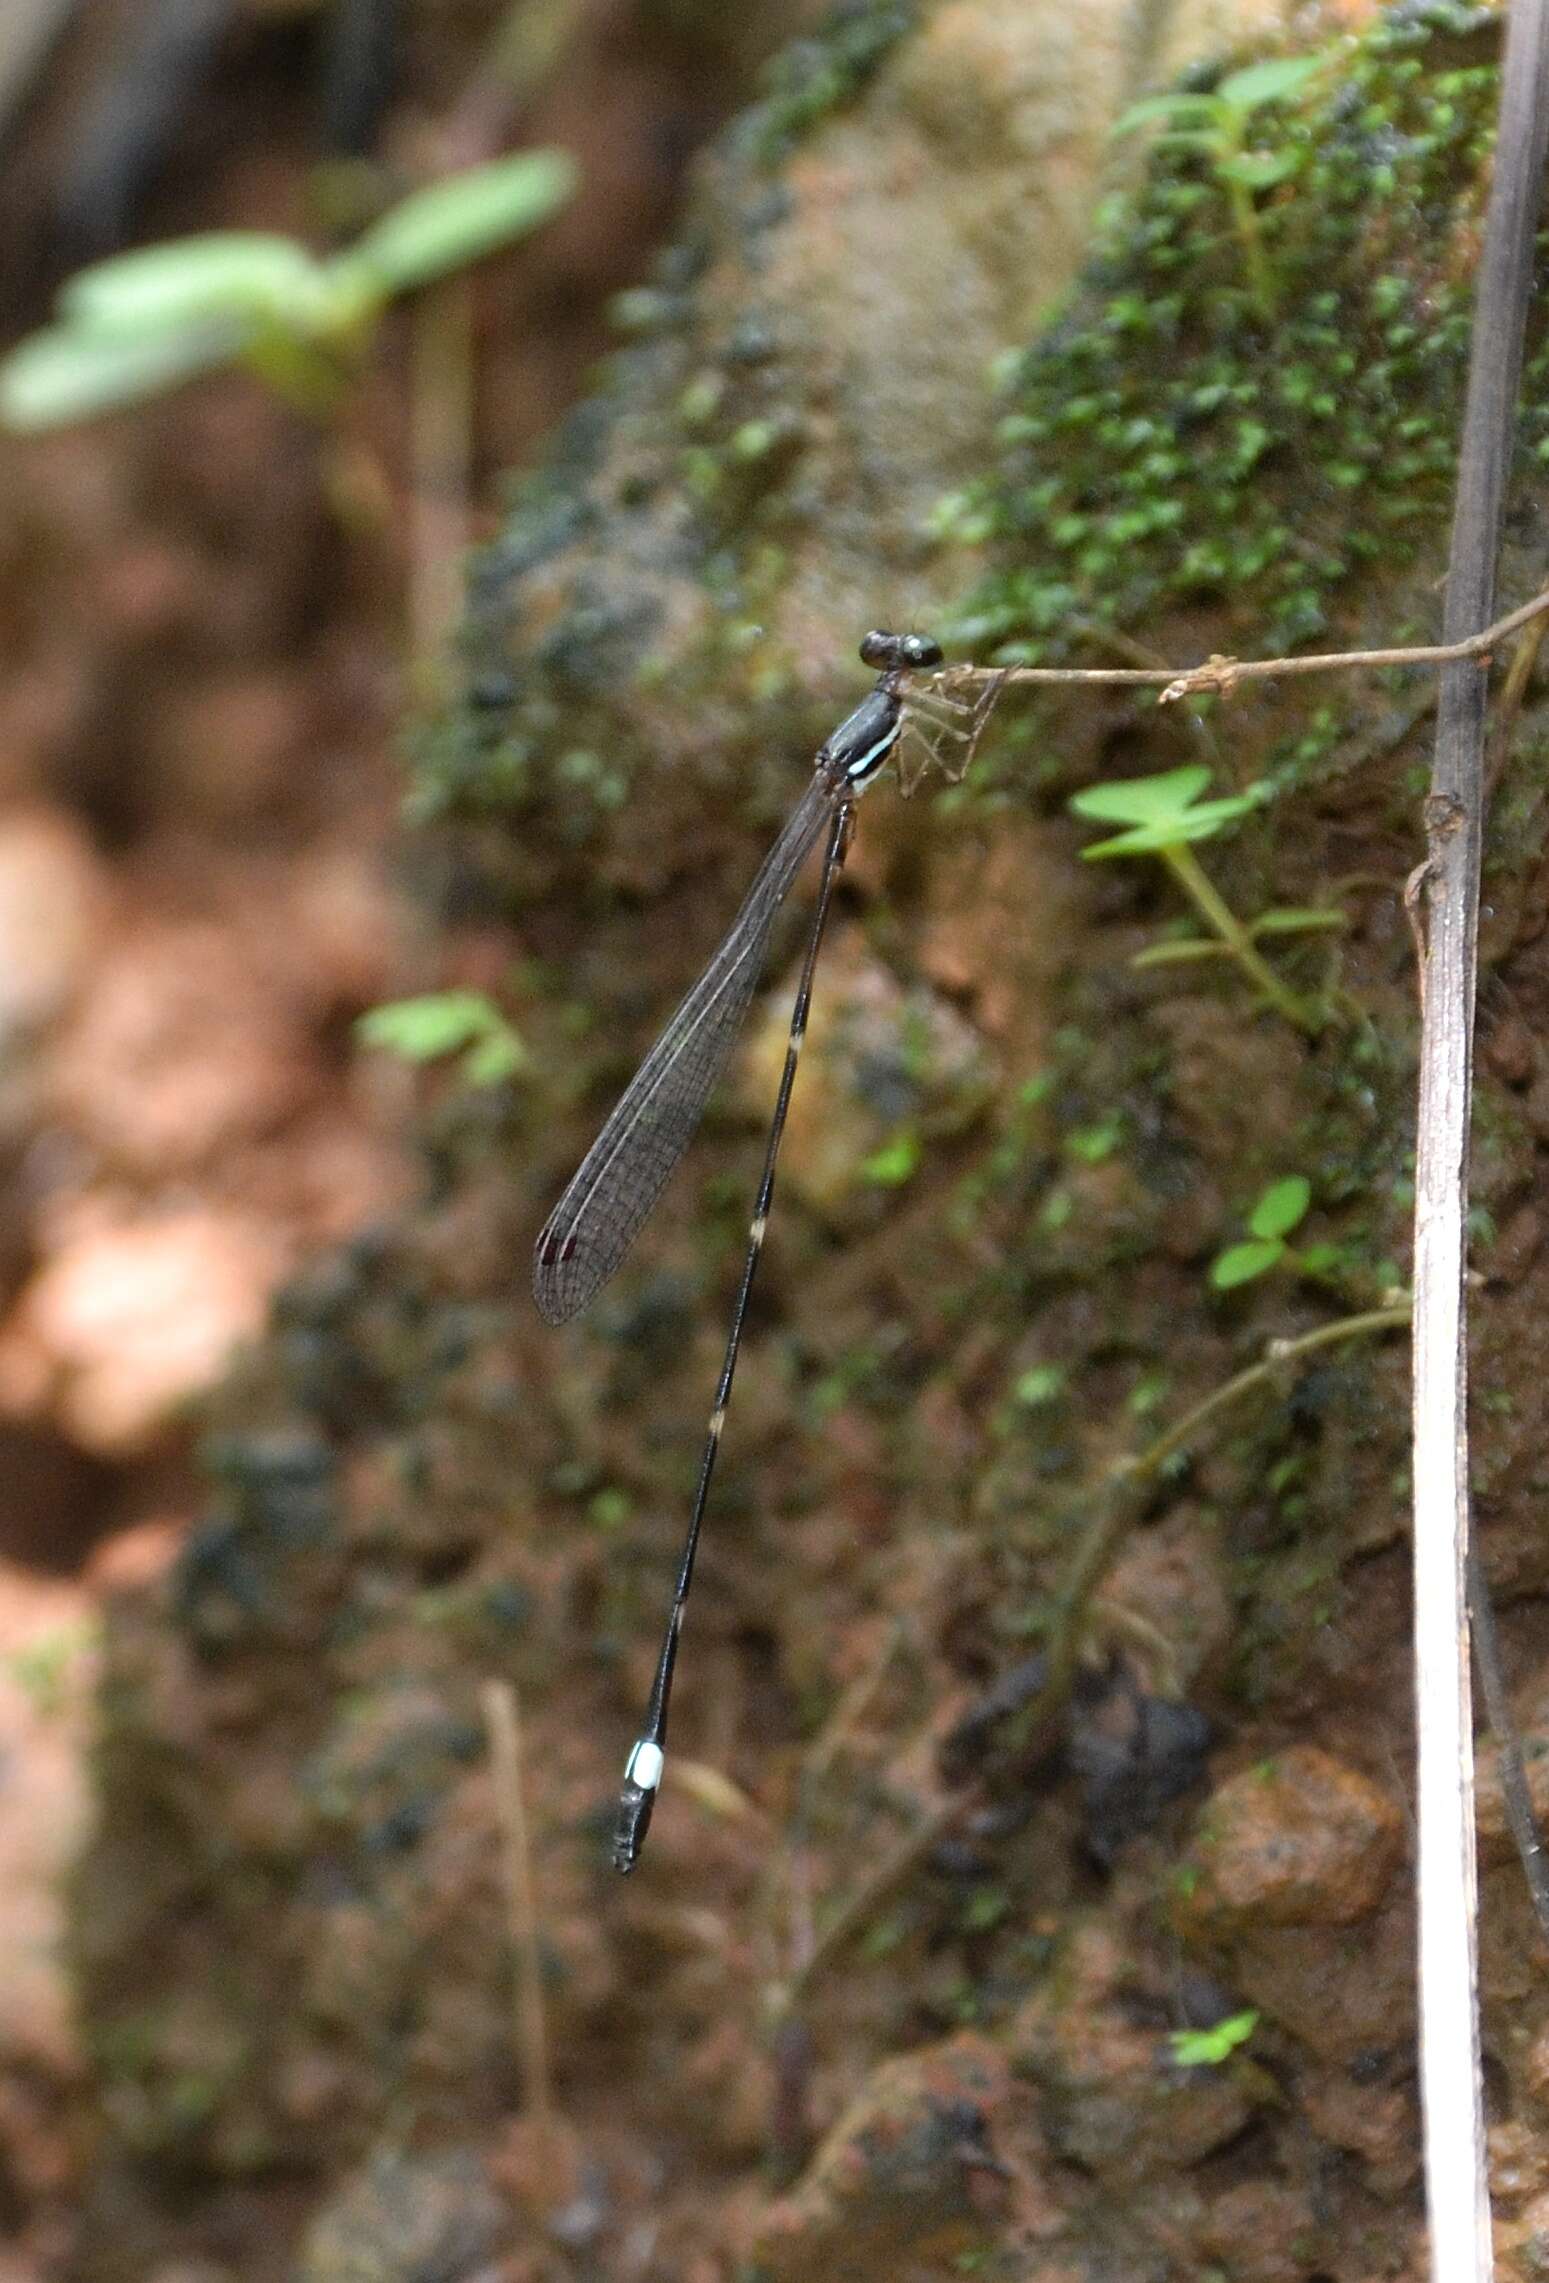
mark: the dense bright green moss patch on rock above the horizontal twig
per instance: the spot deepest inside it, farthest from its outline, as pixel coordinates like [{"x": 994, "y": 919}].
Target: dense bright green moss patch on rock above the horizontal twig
[{"x": 1166, "y": 451}]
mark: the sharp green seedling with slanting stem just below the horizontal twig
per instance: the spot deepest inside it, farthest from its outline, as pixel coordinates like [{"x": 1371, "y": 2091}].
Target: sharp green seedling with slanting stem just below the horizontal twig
[{"x": 1164, "y": 816}]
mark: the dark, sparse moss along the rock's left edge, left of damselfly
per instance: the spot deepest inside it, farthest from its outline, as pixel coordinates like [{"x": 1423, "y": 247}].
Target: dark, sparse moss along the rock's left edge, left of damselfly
[{"x": 714, "y": 430}]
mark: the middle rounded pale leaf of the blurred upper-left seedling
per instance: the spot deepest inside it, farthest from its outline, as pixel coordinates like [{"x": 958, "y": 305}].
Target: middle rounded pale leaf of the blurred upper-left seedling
[{"x": 193, "y": 280}]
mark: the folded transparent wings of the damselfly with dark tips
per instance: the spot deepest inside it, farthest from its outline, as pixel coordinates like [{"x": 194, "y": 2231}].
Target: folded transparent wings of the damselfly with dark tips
[{"x": 627, "y": 1168}]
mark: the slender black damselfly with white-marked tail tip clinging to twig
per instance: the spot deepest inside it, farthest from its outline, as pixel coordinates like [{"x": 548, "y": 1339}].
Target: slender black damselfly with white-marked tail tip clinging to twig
[{"x": 627, "y": 1168}]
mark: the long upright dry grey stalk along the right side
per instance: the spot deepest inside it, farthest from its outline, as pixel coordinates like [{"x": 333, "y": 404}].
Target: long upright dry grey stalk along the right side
[{"x": 1452, "y": 2092}]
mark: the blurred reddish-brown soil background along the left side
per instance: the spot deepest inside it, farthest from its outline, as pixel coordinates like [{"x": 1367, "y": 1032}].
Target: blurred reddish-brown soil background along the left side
[{"x": 200, "y": 866}]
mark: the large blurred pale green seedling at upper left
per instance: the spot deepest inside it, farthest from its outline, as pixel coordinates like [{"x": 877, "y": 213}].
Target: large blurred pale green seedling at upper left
[{"x": 147, "y": 321}]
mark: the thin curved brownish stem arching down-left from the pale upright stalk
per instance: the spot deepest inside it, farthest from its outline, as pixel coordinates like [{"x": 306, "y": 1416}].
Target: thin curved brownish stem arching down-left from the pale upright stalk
[{"x": 1116, "y": 1515}]
